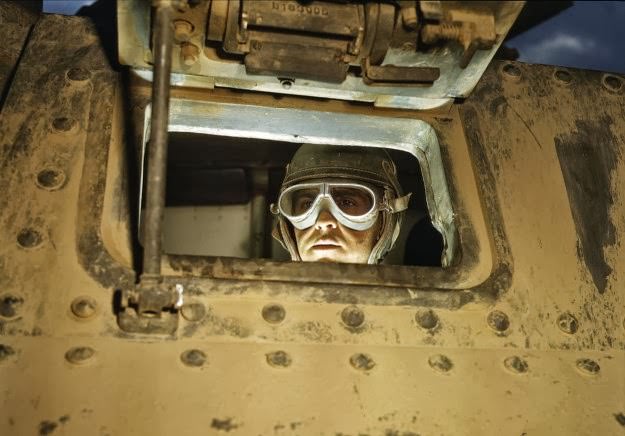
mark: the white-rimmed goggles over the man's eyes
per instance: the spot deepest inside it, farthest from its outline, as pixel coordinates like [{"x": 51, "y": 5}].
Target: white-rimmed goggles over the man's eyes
[{"x": 354, "y": 205}]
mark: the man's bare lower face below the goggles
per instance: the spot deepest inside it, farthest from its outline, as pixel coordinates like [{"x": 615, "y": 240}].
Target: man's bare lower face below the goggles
[{"x": 330, "y": 241}]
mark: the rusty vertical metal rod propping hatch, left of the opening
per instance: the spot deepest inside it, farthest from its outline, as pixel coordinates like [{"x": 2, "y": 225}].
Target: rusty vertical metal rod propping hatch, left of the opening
[{"x": 157, "y": 148}]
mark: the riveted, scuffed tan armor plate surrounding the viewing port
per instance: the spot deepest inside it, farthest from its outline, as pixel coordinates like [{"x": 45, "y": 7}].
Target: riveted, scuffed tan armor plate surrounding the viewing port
[{"x": 523, "y": 334}]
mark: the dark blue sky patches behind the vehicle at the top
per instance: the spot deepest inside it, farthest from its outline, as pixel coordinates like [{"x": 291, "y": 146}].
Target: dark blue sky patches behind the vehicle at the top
[{"x": 590, "y": 34}]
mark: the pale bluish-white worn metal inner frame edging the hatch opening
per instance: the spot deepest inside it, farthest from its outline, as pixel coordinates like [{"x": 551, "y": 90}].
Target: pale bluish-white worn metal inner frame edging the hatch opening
[{"x": 313, "y": 127}]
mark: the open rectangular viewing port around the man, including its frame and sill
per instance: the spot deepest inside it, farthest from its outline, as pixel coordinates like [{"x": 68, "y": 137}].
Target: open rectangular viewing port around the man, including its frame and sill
[{"x": 225, "y": 166}]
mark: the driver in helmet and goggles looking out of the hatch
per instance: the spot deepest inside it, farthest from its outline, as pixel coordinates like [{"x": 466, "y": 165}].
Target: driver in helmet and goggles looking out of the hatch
[{"x": 339, "y": 204}]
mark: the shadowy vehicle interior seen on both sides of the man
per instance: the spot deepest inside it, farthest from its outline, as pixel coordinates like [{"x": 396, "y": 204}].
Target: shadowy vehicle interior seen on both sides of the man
[{"x": 219, "y": 190}]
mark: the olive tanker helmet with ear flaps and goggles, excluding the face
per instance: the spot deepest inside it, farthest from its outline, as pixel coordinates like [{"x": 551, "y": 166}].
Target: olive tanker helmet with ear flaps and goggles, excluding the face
[{"x": 320, "y": 175}]
